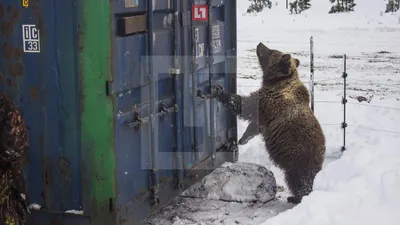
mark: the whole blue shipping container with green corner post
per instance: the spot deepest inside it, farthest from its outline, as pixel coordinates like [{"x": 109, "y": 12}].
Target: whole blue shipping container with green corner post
[{"x": 117, "y": 98}]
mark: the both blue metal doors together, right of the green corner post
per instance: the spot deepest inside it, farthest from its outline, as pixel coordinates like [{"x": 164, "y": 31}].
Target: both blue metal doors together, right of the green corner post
[{"x": 165, "y": 130}]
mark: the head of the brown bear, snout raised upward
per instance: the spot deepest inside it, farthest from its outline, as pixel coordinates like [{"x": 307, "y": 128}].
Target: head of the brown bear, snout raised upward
[{"x": 276, "y": 65}]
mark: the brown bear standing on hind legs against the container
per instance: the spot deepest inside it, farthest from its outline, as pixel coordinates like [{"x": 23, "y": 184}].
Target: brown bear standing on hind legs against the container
[{"x": 280, "y": 111}]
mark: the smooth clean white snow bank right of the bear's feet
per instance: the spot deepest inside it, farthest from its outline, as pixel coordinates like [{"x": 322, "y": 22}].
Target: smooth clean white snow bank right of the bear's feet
[{"x": 362, "y": 187}]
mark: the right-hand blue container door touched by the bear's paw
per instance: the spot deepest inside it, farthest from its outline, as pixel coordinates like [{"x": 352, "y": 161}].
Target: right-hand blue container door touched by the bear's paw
[{"x": 209, "y": 46}]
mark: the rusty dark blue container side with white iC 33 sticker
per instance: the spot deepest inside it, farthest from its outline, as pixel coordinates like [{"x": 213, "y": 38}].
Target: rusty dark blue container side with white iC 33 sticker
[{"x": 37, "y": 70}]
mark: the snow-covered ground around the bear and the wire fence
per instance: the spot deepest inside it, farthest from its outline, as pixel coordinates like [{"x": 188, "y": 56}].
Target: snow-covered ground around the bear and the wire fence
[{"x": 360, "y": 186}]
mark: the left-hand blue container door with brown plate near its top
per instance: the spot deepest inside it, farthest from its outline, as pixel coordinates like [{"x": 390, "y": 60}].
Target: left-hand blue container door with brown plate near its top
[{"x": 147, "y": 97}]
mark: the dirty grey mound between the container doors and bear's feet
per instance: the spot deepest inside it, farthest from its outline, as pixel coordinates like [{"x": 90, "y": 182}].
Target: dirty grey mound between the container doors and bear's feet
[{"x": 240, "y": 182}]
